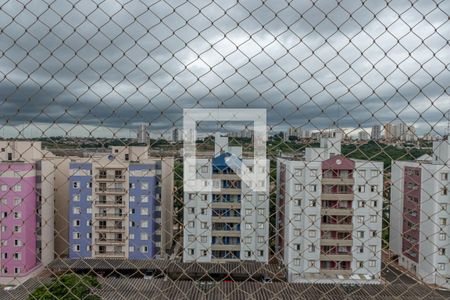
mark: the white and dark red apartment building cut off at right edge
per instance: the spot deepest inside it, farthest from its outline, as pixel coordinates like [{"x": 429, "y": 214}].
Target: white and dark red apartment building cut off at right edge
[{"x": 419, "y": 214}]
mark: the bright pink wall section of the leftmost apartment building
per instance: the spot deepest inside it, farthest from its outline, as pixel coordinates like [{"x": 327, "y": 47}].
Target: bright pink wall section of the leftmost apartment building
[{"x": 21, "y": 175}]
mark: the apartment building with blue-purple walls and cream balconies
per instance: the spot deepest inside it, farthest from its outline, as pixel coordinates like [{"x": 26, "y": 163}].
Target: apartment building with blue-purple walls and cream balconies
[{"x": 121, "y": 205}]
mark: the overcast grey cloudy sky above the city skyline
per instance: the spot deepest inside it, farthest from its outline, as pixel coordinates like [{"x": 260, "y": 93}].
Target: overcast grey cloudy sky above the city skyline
[{"x": 100, "y": 69}]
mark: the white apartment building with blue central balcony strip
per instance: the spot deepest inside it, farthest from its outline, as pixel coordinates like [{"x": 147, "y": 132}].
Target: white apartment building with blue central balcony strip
[{"x": 230, "y": 223}]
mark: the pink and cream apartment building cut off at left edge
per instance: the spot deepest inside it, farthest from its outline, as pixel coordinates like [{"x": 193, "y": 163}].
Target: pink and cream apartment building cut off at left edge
[{"x": 26, "y": 208}]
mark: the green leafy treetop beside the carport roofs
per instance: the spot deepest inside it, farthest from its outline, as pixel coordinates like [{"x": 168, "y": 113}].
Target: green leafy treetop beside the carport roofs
[{"x": 67, "y": 287}]
